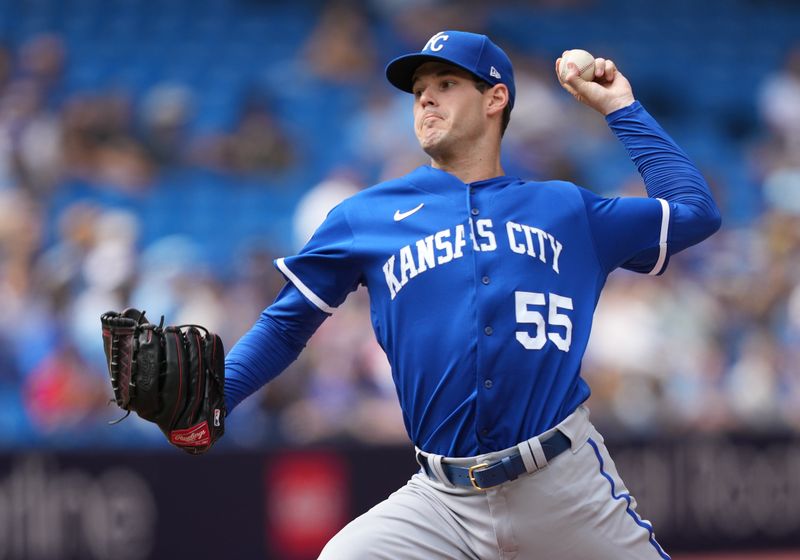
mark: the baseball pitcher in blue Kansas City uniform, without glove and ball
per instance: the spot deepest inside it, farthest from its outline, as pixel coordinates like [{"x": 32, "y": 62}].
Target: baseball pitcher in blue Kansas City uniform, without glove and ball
[{"x": 482, "y": 290}]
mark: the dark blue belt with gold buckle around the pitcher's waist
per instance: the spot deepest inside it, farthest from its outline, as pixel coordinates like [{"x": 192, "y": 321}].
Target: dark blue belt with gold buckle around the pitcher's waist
[{"x": 486, "y": 475}]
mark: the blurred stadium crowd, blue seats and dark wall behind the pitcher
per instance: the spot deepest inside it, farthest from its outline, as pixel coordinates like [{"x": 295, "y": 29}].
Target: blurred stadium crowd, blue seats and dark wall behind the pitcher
[{"x": 161, "y": 154}]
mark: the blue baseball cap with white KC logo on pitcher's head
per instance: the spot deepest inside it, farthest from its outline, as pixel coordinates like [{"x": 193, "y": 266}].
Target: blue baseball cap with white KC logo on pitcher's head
[{"x": 476, "y": 54}]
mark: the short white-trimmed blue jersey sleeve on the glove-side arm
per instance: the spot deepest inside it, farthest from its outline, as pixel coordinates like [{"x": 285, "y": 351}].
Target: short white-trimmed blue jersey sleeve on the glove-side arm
[{"x": 326, "y": 270}]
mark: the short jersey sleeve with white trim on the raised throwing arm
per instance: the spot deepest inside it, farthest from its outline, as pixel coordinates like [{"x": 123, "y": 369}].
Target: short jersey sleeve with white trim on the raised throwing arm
[{"x": 630, "y": 232}]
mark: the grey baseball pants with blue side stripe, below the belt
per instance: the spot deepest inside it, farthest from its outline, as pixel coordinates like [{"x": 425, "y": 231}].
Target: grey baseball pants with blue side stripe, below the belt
[{"x": 574, "y": 508}]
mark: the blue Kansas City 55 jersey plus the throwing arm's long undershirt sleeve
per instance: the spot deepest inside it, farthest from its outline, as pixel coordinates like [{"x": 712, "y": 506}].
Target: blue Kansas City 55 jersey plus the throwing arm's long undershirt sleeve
[{"x": 482, "y": 294}]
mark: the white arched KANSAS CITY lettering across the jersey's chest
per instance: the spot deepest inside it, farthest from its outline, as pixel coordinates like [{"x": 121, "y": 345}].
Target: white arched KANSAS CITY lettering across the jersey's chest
[{"x": 446, "y": 245}]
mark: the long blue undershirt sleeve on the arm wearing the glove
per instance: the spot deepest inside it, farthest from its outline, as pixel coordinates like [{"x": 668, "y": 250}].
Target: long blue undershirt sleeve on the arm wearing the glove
[{"x": 274, "y": 342}]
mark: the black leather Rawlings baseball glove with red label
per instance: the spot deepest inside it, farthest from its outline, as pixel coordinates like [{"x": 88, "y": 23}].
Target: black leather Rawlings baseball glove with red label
[{"x": 173, "y": 376}]
